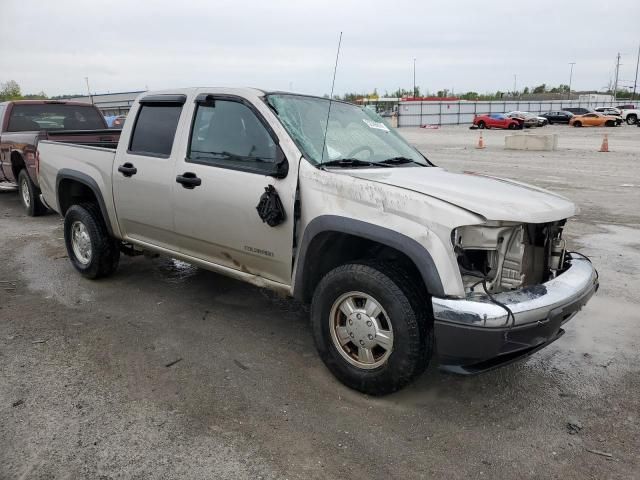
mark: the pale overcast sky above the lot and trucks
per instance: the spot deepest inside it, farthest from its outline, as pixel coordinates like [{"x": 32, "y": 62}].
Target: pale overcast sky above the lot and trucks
[{"x": 51, "y": 45}]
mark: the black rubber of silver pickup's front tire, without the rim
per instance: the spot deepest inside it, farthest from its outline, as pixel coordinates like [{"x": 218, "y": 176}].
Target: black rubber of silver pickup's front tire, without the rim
[{"x": 408, "y": 311}]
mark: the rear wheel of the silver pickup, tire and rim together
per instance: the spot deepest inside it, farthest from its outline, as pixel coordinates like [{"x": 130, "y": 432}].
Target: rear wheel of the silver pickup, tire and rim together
[{"x": 90, "y": 248}]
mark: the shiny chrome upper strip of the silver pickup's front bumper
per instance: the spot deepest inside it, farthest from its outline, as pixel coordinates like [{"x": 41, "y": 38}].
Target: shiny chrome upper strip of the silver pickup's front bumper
[{"x": 561, "y": 296}]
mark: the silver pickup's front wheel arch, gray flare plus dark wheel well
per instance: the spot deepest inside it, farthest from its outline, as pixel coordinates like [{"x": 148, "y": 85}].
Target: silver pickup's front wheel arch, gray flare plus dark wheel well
[{"x": 330, "y": 241}]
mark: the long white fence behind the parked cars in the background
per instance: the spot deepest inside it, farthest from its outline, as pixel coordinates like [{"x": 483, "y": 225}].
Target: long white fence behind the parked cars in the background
[{"x": 414, "y": 114}]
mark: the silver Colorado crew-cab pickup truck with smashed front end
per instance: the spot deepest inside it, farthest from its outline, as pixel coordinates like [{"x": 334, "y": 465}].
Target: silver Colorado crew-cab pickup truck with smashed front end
[{"x": 401, "y": 261}]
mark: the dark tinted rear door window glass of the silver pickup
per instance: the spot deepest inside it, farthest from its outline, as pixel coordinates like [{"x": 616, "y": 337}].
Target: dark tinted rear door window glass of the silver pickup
[{"x": 155, "y": 129}]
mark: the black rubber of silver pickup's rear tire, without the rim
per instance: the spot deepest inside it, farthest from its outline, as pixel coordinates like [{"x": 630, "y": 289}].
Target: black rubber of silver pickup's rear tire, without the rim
[{"x": 105, "y": 252}]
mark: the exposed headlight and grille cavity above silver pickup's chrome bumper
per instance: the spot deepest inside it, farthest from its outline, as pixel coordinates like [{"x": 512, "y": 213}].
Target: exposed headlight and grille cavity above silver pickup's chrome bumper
[{"x": 501, "y": 257}]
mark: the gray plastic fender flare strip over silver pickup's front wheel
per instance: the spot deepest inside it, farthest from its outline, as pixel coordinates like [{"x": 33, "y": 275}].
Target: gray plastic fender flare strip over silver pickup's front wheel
[{"x": 332, "y": 223}]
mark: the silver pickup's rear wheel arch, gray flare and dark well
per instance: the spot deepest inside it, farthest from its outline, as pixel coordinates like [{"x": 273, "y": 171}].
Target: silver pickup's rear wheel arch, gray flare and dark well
[{"x": 75, "y": 188}]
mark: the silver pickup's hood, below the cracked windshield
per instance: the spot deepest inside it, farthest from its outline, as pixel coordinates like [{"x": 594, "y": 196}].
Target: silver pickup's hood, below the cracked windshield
[{"x": 492, "y": 197}]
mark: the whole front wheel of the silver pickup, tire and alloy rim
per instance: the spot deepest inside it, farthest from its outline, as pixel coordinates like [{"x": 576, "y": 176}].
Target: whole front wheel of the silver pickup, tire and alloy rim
[{"x": 371, "y": 327}]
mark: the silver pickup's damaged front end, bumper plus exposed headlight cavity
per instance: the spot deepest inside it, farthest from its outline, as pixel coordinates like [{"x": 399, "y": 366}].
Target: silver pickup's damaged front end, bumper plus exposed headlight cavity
[{"x": 521, "y": 286}]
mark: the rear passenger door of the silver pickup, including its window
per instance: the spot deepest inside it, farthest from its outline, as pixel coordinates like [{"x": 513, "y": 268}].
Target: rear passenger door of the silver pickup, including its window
[{"x": 143, "y": 172}]
